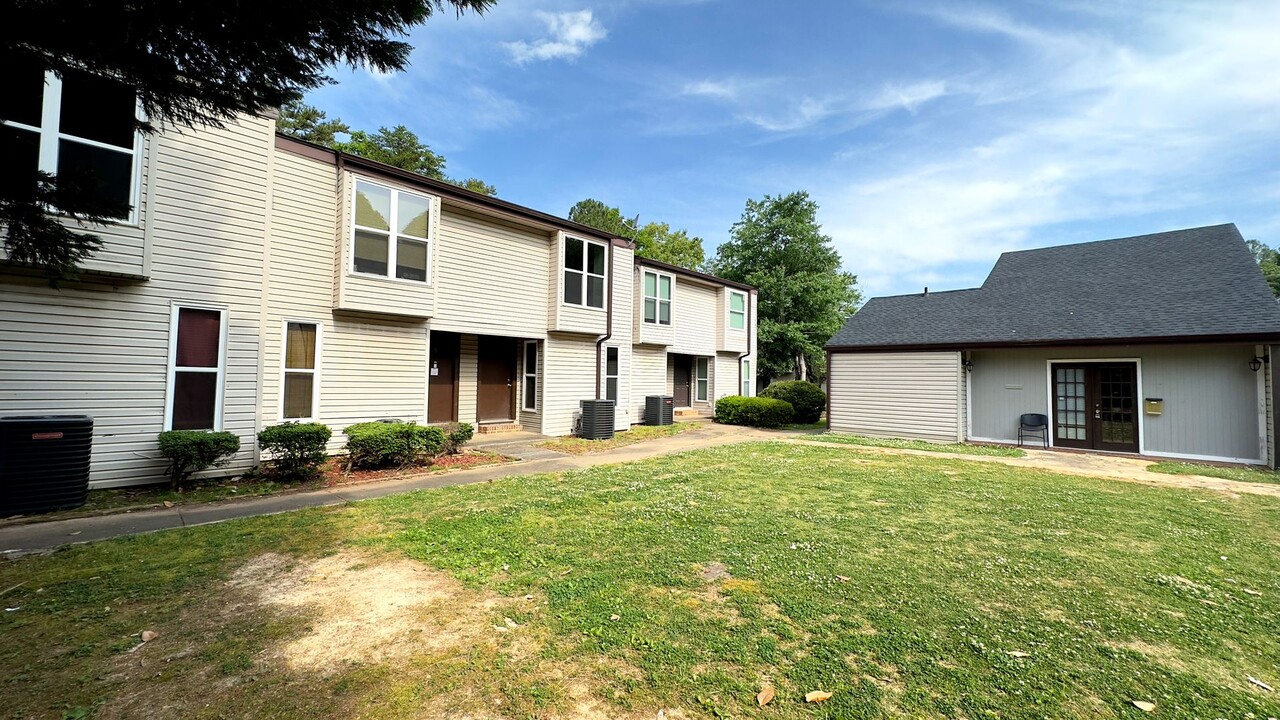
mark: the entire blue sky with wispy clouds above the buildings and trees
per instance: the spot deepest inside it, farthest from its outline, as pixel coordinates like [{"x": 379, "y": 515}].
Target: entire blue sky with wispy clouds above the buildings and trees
[{"x": 932, "y": 135}]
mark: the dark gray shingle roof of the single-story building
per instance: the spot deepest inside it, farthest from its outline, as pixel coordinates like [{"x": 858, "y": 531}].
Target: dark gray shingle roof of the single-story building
[{"x": 1200, "y": 282}]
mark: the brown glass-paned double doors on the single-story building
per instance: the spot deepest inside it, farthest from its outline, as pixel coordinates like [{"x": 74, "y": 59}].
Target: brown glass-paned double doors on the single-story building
[{"x": 1096, "y": 407}]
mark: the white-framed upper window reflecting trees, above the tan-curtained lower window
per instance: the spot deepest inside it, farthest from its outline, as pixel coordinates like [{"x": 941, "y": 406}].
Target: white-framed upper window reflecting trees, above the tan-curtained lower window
[{"x": 391, "y": 234}]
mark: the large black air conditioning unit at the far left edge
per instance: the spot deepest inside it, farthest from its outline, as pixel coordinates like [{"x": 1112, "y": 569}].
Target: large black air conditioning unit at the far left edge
[{"x": 44, "y": 463}]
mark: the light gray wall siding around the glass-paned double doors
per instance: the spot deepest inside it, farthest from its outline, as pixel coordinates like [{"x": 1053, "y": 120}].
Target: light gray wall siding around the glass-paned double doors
[{"x": 1212, "y": 397}]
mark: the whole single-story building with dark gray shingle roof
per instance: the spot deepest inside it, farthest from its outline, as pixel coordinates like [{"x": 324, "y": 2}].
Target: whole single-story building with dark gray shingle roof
[{"x": 1158, "y": 345}]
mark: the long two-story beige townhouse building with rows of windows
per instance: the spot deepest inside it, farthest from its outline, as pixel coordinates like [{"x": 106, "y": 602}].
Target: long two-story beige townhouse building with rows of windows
[{"x": 263, "y": 280}]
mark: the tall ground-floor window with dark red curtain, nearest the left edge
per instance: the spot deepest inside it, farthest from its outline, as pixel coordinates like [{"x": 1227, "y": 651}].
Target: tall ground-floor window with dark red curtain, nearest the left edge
[{"x": 198, "y": 364}]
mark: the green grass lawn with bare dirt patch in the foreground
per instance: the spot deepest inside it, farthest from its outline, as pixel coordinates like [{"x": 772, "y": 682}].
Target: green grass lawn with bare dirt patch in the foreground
[{"x": 906, "y": 586}]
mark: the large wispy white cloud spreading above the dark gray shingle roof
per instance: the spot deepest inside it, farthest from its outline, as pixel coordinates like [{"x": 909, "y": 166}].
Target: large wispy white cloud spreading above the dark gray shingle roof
[{"x": 1162, "y": 127}]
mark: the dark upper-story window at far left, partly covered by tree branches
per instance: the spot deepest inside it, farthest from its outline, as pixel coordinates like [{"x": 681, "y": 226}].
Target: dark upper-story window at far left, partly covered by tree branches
[{"x": 80, "y": 127}]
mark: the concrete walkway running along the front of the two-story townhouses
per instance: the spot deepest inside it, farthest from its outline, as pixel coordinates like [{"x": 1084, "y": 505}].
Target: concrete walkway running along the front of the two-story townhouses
[{"x": 34, "y": 537}]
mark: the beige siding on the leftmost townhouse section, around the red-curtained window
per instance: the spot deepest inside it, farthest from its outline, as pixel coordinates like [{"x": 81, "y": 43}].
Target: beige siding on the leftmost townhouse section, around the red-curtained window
[{"x": 102, "y": 349}]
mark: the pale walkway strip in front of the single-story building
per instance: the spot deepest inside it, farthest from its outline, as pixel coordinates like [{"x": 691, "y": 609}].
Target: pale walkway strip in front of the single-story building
[{"x": 1109, "y": 467}]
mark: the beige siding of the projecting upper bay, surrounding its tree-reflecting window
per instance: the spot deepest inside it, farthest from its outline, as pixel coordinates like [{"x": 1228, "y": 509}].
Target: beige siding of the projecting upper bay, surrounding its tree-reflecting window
[{"x": 385, "y": 297}]
